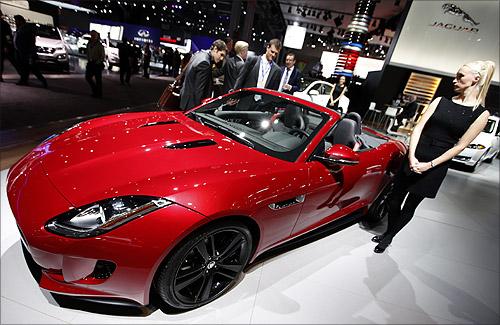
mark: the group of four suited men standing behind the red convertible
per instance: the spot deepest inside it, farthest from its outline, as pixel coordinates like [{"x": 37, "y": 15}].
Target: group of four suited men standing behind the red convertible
[{"x": 237, "y": 70}]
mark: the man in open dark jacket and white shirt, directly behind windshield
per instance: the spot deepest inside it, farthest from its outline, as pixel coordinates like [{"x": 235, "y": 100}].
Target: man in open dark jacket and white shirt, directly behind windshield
[{"x": 261, "y": 71}]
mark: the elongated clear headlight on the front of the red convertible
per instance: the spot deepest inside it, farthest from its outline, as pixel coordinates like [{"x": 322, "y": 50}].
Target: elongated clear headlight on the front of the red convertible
[{"x": 102, "y": 216}]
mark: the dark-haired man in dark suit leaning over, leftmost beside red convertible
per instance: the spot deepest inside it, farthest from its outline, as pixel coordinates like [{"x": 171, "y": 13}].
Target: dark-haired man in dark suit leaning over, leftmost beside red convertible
[{"x": 197, "y": 84}]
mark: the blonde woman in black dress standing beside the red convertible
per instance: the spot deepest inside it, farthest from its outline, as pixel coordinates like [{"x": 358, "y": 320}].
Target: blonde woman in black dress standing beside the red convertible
[{"x": 446, "y": 128}]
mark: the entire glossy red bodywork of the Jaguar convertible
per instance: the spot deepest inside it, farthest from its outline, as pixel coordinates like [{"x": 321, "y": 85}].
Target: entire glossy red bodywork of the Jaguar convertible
[{"x": 125, "y": 154}]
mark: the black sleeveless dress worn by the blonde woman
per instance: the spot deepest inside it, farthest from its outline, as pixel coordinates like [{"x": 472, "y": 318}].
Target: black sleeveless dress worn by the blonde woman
[{"x": 442, "y": 131}]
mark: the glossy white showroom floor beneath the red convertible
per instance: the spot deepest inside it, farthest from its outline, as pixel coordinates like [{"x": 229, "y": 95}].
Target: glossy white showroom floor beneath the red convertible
[{"x": 443, "y": 268}]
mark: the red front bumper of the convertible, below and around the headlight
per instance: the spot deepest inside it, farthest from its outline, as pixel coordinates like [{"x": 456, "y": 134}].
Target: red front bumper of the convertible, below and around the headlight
[{"x": 119, "y": 264}]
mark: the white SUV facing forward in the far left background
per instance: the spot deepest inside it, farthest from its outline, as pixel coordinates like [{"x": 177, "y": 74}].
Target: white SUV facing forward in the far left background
[{"x": 50, "y": 46}]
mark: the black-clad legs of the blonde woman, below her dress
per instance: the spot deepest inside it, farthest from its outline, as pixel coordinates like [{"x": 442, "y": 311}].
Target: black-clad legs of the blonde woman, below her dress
[{"x": 400, "y": 216}]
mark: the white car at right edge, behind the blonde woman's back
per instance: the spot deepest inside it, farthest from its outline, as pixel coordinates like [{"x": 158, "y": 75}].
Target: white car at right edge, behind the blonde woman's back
[{"x": 484, "y": 147}]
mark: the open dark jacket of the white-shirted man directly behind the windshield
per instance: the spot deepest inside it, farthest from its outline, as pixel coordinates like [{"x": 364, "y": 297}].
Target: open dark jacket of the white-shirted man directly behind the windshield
[{"x": 250, "y": 74}]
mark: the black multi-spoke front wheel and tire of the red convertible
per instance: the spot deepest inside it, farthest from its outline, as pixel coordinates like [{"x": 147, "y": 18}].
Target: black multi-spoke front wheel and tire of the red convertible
[{"x": 205, "y": 266}]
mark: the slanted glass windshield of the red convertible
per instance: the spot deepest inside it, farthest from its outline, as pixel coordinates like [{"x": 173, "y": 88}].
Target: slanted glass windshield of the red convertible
[{"x": 270, "y": 124}]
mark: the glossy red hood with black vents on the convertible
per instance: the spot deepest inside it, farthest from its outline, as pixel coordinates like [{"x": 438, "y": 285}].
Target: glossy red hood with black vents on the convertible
[{"x": 159, "y": 154}]
